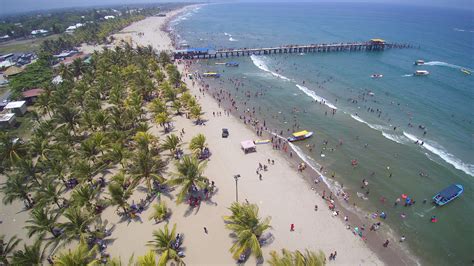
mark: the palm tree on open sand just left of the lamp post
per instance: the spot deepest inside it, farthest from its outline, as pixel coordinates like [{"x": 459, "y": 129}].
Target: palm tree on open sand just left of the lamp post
[{"x": 188, "y": 176}]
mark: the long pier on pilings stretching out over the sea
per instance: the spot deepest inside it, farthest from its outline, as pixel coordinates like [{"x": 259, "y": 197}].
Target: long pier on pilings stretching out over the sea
[{"x": 208, "y": 53}]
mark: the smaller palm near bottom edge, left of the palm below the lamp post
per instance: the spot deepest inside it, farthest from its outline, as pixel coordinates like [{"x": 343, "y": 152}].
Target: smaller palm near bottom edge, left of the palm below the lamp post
[{"x": 163, "y": 244}]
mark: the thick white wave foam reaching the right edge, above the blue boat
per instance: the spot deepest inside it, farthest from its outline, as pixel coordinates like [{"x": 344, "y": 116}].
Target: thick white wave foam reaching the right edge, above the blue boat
[{"x": 443, "y": 154}]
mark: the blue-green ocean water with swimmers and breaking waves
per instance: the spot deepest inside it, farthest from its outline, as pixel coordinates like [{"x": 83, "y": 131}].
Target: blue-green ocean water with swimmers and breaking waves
[{"x": 378, "y": 121}]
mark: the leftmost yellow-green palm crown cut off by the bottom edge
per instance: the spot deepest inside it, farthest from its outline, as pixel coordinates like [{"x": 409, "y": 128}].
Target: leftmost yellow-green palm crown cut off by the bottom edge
[{"x": 82, "y": 255}]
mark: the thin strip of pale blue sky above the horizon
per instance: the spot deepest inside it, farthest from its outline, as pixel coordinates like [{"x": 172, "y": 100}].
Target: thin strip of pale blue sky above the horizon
[{"x": 16, "y": 6}]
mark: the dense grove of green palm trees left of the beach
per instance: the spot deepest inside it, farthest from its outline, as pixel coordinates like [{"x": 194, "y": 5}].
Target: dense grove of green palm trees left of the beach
[{"x": 90, "y": 123}]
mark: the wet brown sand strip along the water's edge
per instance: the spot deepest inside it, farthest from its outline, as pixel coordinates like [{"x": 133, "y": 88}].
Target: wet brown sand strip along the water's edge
[{"x": 394, "y": 256}]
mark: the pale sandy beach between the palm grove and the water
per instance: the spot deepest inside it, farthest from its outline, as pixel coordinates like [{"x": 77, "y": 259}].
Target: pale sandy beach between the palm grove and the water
[{"x": 283, "y": 194}]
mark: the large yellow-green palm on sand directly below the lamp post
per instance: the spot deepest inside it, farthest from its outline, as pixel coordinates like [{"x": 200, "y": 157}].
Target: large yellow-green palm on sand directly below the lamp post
[{"x": 247, "y": 227}]
